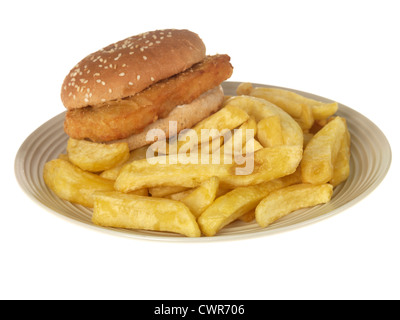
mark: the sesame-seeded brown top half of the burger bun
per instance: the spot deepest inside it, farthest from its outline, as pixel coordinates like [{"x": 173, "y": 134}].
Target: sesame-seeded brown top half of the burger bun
[{"x": 129, "y": 66}]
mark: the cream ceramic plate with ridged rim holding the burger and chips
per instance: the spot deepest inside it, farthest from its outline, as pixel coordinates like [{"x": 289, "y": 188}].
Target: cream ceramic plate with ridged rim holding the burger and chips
[{"x": 370, "y": 161}]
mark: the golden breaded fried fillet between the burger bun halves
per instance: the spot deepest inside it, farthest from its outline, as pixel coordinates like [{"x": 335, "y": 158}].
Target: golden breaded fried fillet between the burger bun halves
[{"x": 120, "y": 119}]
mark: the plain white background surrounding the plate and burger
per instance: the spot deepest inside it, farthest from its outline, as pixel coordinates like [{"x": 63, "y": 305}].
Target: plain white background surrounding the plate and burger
[{"x": 347, "y": 51}]
